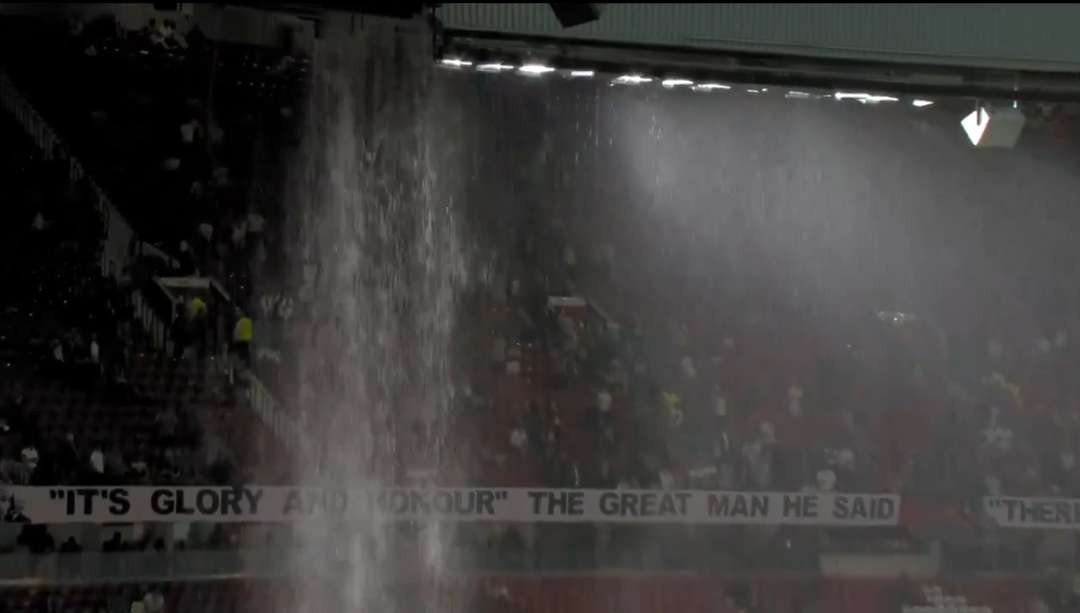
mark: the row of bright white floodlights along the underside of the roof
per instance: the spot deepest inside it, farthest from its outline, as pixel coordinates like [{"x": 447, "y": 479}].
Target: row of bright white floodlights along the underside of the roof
[{"x": 541, "y": 70}]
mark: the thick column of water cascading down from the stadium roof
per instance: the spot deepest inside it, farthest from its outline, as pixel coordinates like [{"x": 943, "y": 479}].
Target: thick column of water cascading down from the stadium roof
[{"x": 380, "y": 261}]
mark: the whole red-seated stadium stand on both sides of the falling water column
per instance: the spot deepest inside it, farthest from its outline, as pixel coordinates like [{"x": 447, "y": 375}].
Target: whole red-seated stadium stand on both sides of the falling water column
[{"x": 578, "y": 374}]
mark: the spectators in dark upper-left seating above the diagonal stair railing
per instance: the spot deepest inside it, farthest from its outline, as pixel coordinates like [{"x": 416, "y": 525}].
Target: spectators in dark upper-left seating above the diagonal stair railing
[{"x": 166, "y": 119}]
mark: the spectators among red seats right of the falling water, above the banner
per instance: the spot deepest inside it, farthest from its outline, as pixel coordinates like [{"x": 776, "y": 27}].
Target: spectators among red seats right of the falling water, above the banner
[{"x": 602, "y": 369}]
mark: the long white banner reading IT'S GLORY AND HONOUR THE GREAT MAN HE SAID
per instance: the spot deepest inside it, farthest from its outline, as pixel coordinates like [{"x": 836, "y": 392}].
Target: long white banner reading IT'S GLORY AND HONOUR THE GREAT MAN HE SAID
[{"x": 251, "y": 503}]
